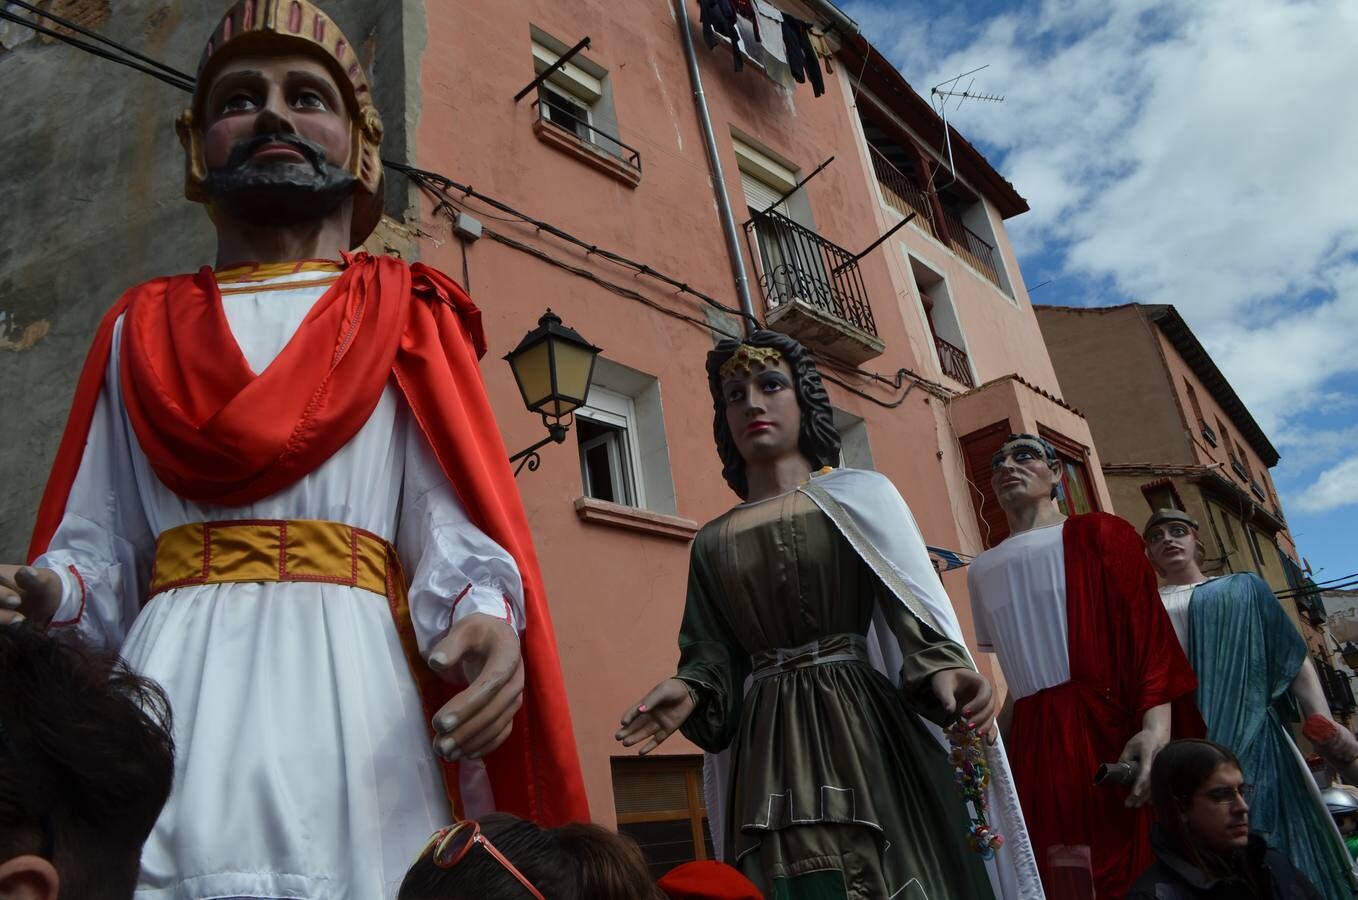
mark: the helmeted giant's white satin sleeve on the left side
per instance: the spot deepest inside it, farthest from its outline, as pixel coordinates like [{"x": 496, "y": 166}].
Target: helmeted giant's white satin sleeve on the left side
[{"x": 104, "y": 548}]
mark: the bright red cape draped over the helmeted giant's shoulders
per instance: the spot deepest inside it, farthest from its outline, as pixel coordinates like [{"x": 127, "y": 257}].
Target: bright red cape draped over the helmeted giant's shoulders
[{"x": 215, "y": 432}]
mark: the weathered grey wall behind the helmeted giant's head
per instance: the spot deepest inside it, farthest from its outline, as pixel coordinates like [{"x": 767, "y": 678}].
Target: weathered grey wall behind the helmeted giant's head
[{"x": 93, "y": 199}]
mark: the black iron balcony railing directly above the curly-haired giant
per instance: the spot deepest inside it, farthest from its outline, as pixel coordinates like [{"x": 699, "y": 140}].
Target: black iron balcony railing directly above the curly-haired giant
[{"x": 798, "y": 264}]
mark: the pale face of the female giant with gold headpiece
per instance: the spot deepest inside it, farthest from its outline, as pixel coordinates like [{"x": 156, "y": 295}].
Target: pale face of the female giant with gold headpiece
[{"x": 763, "y": 412}]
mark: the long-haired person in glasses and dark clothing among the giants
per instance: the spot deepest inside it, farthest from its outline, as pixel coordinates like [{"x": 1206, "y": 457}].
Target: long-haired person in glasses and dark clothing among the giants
[{"x": 1203, "y": 841}]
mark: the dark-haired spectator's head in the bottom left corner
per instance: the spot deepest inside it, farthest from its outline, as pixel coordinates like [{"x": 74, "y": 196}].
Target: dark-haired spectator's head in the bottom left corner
[{"x": 86, "y": 765}]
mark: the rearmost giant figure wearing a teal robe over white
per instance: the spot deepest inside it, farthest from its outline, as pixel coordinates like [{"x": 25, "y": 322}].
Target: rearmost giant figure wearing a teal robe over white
[{"x": 1249, "y": 656}]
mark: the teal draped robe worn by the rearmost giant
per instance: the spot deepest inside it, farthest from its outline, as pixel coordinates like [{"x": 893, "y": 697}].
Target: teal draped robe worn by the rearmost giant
[{"x": 1247, "y": 654}]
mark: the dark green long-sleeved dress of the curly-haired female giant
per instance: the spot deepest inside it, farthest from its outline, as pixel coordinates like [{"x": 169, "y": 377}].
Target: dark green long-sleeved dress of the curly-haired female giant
[{"x": 839, "y": 791}]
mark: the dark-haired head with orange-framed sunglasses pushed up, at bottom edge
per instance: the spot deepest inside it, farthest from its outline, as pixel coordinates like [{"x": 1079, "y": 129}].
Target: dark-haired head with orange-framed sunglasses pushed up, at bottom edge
[{"x": 503, "y": 857}]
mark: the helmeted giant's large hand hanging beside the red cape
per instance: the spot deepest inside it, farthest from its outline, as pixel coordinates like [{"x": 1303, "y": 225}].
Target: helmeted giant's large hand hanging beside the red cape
[{"x": 485, "y": 652}]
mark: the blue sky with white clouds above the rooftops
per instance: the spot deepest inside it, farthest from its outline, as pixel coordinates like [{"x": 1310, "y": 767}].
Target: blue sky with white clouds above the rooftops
[{"x": 1197, "y": 153}]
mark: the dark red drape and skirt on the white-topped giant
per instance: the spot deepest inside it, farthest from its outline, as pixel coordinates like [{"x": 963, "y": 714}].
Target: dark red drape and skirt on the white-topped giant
[{"x": 1124, "y": 662}]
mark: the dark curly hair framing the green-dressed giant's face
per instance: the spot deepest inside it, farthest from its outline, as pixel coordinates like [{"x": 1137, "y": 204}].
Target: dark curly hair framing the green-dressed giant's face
[{"x": 818, "y": 442}]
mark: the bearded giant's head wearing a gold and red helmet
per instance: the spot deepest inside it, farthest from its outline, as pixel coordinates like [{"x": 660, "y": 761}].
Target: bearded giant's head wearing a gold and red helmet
[{"x": 283, "y": 130}]
